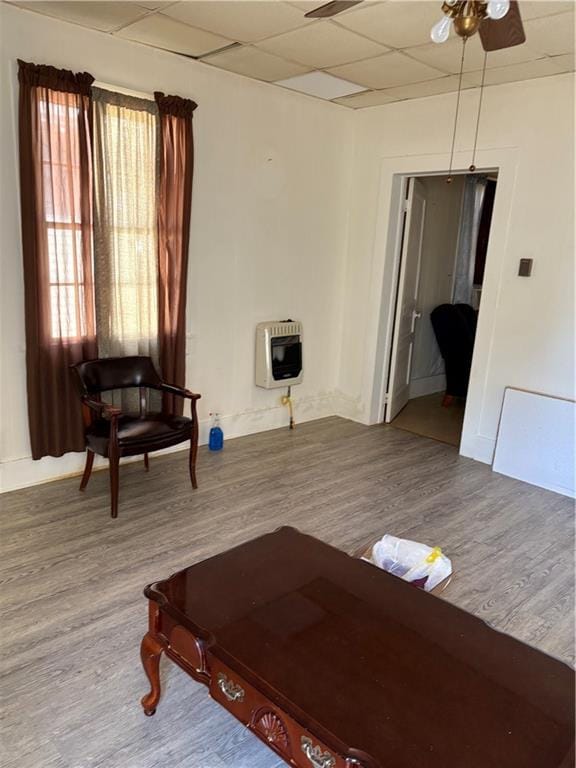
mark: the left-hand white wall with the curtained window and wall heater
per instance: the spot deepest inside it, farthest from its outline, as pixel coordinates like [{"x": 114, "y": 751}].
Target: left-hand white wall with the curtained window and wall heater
[{"x": 268, "y": 235}]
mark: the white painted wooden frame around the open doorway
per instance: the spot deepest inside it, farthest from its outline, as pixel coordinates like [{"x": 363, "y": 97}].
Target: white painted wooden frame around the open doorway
[{"x": 394, "y": 175}]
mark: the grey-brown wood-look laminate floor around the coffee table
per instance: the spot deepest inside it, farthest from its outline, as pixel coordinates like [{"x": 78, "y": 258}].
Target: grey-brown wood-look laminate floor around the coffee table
[{"x": 72, "y": 578}]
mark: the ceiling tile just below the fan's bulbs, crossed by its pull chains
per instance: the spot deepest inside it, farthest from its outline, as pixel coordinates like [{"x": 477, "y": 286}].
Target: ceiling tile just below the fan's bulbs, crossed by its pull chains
[{"x": 446, "y": 56}]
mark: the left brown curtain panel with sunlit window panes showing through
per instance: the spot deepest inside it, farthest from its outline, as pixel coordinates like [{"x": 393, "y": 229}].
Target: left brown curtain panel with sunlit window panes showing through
[{"x": 56, "y": 209}]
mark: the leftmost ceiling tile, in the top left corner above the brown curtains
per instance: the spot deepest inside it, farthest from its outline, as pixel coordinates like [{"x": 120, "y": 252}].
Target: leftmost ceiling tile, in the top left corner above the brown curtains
[{"x": 104, "y": 16}]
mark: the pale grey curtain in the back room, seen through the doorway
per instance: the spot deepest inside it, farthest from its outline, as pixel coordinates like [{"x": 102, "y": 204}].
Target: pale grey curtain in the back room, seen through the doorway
[{"x": 474, "y": 188}]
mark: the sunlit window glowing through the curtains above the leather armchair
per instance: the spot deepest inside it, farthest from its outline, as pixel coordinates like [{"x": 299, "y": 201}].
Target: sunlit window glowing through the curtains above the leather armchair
[{"x": 125, "y": 184}]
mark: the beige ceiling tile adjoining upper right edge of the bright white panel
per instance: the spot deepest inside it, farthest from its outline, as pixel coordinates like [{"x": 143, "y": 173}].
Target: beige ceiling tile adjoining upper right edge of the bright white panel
[{"x": 386, "y": 71}]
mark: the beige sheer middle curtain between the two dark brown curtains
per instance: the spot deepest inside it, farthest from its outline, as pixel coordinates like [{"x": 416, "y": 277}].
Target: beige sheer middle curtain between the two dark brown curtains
[{"x": 125, "y": 225}]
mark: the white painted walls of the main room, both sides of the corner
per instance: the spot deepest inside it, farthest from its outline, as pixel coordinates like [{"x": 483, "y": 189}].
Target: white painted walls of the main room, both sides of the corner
[{"x": 286, "y": 222}]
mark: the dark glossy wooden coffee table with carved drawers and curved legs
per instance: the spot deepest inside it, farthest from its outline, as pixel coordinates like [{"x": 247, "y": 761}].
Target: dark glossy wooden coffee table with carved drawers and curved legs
[{"x": 334, "y": 663}]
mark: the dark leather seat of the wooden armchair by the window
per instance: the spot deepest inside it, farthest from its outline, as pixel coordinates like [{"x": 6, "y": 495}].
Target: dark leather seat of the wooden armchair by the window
[{"x": 139, "y": 435}]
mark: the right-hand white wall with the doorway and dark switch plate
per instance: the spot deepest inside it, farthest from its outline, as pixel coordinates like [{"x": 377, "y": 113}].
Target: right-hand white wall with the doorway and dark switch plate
[{"x": 526, "y": 325}]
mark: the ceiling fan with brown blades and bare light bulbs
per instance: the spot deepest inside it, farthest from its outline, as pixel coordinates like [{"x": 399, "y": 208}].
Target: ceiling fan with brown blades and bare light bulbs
[{"x": 498, "y": 22}]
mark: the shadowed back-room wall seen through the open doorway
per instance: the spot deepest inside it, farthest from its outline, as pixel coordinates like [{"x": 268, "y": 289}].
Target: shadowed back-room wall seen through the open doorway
[{"x": 443, "y": 207}]
